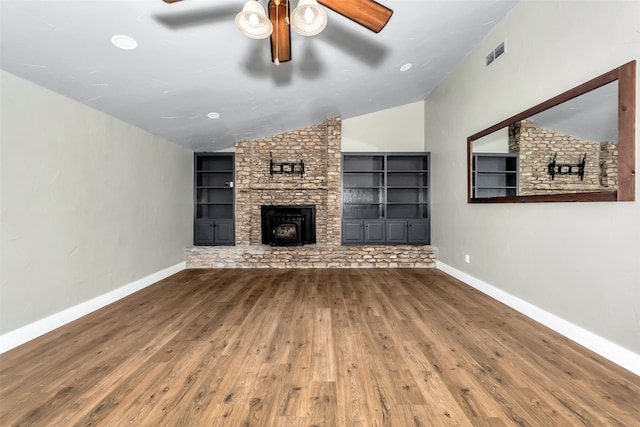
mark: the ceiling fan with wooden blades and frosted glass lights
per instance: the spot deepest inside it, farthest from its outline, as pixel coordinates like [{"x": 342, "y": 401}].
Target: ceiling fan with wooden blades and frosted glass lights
[{"x": 308, "y": 19}]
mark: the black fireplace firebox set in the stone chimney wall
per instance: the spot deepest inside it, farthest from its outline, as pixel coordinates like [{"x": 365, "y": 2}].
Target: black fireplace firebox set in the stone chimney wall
[{"x": 288, "y": 225}]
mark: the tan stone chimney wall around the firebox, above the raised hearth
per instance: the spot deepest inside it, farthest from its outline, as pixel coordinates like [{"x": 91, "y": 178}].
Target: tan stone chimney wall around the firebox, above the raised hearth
[{"x": 319, "y": 146}]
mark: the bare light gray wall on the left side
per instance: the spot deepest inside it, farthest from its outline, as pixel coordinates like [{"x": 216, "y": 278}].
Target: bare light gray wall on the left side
[{"x": 89, "y": 203}]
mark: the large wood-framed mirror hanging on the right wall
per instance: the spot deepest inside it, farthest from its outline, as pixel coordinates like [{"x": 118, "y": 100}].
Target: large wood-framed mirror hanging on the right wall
[{"x": 578, "y": 146}]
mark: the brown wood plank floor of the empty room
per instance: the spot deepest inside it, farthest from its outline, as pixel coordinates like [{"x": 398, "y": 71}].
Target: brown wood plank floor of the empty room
[{"x": 334, "y": 347}]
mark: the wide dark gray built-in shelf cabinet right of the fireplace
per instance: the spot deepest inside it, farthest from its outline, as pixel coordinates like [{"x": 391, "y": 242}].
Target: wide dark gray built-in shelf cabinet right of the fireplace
[{"x": 385, "y": 198}]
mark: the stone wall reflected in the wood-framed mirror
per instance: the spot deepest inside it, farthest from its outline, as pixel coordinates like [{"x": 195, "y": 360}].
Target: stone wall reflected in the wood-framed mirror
[{"x": 536, "y": 147}]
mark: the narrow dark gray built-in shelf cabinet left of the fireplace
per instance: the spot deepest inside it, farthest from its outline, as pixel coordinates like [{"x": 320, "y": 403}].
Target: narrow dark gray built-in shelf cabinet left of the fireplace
[{"x": 214, "y": 199}]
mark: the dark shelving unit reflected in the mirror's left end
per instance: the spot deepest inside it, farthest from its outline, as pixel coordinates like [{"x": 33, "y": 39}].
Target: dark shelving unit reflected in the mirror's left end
[{"x": 495, "y": 175}]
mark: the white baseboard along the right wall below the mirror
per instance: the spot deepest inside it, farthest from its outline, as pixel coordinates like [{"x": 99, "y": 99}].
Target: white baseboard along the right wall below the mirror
[{"x": 611, "y": 351}]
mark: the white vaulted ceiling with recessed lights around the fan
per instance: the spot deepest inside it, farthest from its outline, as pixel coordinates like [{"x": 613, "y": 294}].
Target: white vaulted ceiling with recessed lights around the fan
[{"x": 191, "y": 60}]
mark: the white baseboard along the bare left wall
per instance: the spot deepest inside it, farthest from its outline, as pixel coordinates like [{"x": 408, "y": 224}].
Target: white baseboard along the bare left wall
[{"x": 33, "y": 330}]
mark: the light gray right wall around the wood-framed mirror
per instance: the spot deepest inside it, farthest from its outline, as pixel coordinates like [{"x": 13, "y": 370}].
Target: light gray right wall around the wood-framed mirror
[{"x": 592, "y": 281}]
